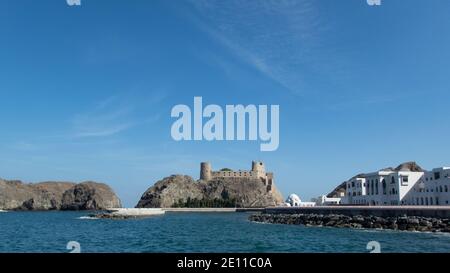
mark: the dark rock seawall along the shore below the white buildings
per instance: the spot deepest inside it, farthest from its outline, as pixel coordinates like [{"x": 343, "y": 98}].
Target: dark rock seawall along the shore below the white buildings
[{"x": 405, "y": 223}]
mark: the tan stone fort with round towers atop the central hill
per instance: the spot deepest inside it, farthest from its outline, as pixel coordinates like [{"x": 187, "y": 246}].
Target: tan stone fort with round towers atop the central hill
[{"x": 258, "y": 171}]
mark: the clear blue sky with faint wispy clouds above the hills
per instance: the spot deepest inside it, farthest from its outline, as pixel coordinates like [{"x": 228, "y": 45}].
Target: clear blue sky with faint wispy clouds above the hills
[{"x": 86, "y": 91}]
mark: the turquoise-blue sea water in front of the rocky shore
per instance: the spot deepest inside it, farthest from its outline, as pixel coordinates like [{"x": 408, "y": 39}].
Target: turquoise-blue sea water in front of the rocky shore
[{"x": 195, "y": 232}]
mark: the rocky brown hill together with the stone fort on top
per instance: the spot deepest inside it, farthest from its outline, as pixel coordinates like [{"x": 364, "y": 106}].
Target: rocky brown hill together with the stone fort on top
[{"x": 253, "y": 188}]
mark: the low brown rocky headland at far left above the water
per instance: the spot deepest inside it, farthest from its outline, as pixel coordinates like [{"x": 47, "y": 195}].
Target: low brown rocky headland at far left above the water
[{"x": 15, "y": 195}]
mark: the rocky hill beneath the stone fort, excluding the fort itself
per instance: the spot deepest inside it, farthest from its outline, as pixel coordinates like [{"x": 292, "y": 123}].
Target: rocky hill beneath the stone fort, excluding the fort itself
[{"x": 242, "y": 192}]
